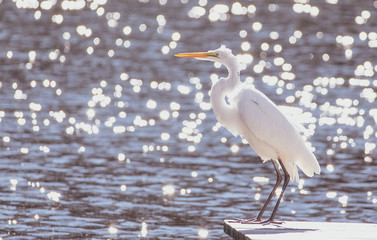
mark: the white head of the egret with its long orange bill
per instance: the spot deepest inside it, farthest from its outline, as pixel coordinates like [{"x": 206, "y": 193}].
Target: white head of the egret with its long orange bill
[{"x": 222, "y": 55}]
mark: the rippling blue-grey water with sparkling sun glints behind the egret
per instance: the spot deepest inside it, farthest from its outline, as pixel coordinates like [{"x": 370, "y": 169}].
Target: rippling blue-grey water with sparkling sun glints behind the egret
[{"x": 105, "y": 134}]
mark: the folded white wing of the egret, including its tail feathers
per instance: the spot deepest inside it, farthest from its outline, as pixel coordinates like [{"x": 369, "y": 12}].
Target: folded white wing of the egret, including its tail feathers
[{"x": 270, "y": 126}]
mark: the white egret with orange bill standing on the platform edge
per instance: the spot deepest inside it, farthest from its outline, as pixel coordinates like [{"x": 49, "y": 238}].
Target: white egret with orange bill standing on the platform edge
[{"x": 247, "y": 112}]
